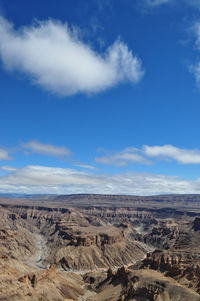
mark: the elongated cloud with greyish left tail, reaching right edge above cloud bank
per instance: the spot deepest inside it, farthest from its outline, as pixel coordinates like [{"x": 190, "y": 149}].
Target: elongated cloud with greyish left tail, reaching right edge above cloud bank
[{"x": 148, "y": 155}]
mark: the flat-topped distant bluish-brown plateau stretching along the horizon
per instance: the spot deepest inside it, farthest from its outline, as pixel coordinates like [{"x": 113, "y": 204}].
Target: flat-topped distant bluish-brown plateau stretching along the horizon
[{"x": 166, "y": 201}]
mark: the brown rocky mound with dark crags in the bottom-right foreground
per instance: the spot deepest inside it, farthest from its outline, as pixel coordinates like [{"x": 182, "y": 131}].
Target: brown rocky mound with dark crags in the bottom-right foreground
[{"x": 142, "y": 285}]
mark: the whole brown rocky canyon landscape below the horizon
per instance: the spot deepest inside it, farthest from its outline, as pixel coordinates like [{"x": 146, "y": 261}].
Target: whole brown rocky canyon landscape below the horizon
[{"x": 100, "y": 248}]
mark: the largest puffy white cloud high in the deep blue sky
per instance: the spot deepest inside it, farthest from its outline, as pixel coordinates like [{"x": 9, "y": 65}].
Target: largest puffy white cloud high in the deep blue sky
[{"x": 59, "y": 61}]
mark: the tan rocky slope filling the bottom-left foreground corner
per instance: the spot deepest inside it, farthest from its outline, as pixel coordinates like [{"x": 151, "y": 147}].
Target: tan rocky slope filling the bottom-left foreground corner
[{"x": 36, "y": 285}]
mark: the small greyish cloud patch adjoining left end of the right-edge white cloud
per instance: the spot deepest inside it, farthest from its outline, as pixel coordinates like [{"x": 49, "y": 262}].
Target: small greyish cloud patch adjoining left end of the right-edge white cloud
[{"x": 127, "y": 156}]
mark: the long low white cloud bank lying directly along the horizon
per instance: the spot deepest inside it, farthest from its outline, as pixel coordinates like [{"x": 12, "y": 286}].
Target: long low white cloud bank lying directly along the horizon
[{"x": 40, "y": 179}]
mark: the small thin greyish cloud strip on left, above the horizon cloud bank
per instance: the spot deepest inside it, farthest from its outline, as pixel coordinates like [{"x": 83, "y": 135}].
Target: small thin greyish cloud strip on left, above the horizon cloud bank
[{"x": 46, "y": 149}]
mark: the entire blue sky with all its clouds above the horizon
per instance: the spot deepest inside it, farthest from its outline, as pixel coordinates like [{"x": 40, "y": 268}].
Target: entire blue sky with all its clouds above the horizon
[{"x": 100, "y": 96}]
